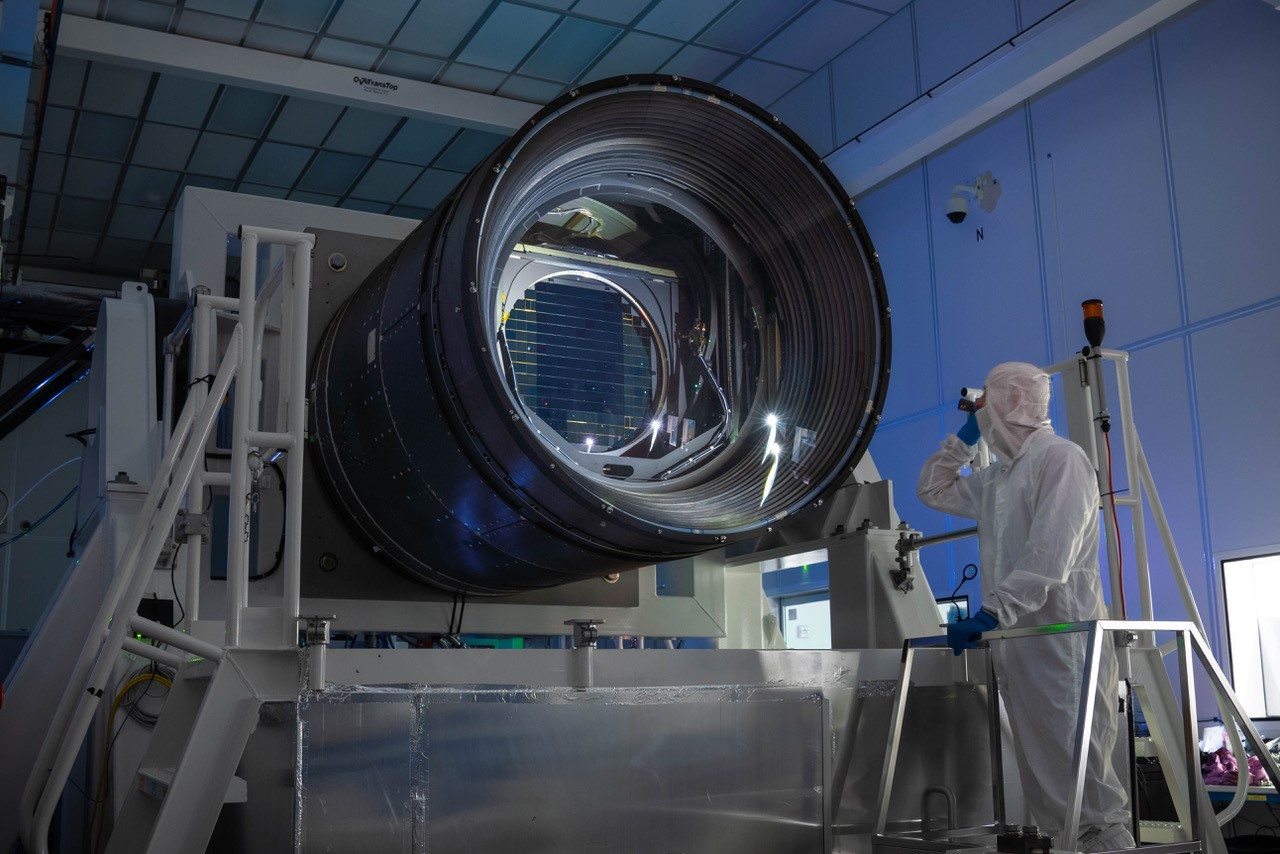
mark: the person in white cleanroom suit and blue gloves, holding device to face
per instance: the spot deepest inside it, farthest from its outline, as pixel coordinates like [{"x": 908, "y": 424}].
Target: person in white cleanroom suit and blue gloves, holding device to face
[{"x": 1037, "y": 512}]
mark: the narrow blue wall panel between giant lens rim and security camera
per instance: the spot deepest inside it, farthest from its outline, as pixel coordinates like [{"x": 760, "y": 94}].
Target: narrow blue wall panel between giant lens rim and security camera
[{"x": 895, "y": 218}]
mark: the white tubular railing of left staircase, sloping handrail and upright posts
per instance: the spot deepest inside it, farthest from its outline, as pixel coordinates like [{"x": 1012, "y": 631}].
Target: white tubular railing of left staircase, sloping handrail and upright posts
[{"x": 173, "y": 486}]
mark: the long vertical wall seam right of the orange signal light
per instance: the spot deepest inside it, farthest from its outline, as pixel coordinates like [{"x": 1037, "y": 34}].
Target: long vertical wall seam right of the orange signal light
[{"x": 1188, "y": 353}]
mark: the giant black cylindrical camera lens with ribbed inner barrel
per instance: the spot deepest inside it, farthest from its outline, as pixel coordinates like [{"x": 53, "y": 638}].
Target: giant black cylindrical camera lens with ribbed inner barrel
[{"x": 648, "y": 326}]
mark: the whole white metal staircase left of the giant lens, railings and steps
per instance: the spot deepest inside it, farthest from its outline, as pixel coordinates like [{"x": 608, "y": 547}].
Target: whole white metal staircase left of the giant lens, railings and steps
[{"x": 189, "y": 770}]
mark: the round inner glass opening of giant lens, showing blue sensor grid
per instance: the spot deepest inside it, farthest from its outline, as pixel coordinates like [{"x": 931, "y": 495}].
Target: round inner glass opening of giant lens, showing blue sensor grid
[{"x": 625, "y": 337}]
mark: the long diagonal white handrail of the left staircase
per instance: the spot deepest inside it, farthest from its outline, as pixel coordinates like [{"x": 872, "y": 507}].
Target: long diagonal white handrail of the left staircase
[{"x": 89, "y": 681}]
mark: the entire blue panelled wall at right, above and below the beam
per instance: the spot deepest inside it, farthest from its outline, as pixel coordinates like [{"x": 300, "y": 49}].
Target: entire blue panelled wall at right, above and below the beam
[{"x": 1149, "y": 181}]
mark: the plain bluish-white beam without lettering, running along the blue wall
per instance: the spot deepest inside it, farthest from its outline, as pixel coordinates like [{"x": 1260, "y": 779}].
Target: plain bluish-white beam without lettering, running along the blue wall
[{"x": 1028, "y": 65}]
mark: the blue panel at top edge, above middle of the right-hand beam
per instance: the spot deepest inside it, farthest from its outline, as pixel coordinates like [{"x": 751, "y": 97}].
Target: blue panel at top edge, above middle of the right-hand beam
[{"x": 953, "y": 35}]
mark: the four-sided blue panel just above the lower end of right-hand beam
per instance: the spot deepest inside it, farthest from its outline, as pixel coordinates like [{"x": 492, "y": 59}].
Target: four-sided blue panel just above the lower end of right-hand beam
[{"x": 875, "y": 77}]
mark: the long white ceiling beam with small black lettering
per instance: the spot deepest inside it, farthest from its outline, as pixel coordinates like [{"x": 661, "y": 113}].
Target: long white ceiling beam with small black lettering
[{"x": 161, "y": 52}]
